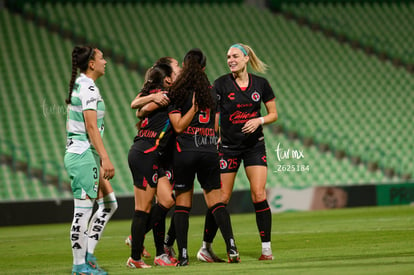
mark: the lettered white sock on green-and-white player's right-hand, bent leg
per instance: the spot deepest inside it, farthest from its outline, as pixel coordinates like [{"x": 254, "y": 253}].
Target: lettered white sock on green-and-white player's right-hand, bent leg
[{"x": 106, "y": 208}]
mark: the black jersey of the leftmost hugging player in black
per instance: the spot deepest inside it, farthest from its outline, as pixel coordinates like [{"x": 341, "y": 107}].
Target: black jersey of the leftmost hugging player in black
[{"x": 155, "y": 131}]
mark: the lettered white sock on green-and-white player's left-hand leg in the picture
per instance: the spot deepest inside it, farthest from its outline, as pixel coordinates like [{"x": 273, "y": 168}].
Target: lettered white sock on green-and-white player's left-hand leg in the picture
[{"x": 79, "y": 240}]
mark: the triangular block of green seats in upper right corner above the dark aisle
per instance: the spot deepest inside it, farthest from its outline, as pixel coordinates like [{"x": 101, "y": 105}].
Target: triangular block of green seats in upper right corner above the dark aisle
[{"x": 384, "y": 26}]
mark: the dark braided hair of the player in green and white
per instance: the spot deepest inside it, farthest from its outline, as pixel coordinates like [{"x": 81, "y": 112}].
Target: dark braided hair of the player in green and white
[{"x": 80, "y": 59}]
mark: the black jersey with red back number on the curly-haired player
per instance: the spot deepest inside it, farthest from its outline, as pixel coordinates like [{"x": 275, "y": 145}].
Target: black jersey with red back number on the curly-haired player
[{"x": 200, "y": 135}]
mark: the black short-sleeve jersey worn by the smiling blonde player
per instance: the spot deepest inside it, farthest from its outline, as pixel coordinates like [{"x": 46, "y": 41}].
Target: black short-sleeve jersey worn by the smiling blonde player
[{"x": 236, "y": 107}]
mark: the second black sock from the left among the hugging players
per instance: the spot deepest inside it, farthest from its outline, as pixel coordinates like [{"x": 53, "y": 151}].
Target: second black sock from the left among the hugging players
[{"x": 158, "y": 226}]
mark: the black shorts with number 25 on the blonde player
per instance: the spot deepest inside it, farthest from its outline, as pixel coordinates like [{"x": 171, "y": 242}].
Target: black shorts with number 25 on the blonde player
[{"x": 231, "y": 159}]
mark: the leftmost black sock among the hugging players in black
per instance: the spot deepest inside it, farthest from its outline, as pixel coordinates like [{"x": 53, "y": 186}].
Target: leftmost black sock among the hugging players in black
[{"x": 139, "y": 223}]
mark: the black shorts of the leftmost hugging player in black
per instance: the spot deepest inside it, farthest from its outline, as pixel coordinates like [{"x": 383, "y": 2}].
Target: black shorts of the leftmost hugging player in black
[{"x": 146, "y": 168}]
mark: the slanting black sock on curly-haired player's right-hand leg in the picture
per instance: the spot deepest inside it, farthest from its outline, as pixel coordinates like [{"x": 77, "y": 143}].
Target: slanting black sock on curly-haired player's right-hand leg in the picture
[{"x": 222, "y": 218}]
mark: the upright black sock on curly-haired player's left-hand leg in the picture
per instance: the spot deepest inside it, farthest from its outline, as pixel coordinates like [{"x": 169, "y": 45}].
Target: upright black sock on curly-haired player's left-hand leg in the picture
[{"x": 181, "y": 222}]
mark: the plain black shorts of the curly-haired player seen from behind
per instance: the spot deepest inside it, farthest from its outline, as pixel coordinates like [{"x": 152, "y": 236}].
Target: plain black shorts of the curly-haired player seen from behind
[{"x": 204, "y": 164}]
